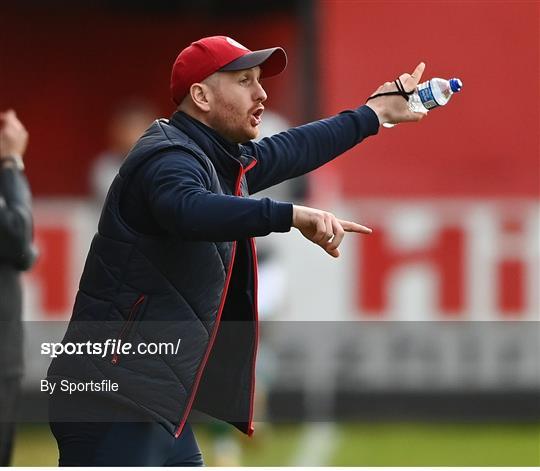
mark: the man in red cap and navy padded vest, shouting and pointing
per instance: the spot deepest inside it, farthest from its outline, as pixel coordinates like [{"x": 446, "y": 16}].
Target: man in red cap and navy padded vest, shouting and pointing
[{"x": 174, "y": 259}]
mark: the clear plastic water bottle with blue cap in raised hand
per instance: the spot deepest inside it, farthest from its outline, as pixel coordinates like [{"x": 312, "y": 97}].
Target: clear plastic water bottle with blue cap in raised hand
[{"x": 431, "y": 94}]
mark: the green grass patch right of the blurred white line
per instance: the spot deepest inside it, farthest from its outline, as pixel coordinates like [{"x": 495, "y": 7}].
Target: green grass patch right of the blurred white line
[{"x": 438, "y": 445}]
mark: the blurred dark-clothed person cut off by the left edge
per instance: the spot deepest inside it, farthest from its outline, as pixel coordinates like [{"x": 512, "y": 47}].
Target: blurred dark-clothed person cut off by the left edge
[{"x": 17, "y": 254}]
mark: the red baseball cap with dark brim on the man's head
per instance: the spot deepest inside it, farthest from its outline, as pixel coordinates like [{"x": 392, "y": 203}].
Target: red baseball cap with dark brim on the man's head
[{"x": 220, "y": 53}]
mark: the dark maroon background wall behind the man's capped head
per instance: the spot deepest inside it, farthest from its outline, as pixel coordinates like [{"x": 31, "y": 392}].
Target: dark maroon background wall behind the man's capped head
[{"x": 65, "y": 66}]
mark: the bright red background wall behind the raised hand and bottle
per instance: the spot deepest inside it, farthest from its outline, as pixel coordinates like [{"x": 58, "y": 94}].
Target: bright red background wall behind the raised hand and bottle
[{"x": 485, "y": 142}]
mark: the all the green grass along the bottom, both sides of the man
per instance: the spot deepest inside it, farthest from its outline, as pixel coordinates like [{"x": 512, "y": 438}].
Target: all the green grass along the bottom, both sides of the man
[{"x": 358, "y": 444}]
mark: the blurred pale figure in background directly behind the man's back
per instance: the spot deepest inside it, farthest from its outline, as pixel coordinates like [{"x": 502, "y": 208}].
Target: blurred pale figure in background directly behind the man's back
[{"x": 126, "y": 125}]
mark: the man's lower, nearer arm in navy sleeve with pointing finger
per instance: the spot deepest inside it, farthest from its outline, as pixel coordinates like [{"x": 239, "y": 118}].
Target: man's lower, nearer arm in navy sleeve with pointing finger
[{"x": 177, "y": 190}]
